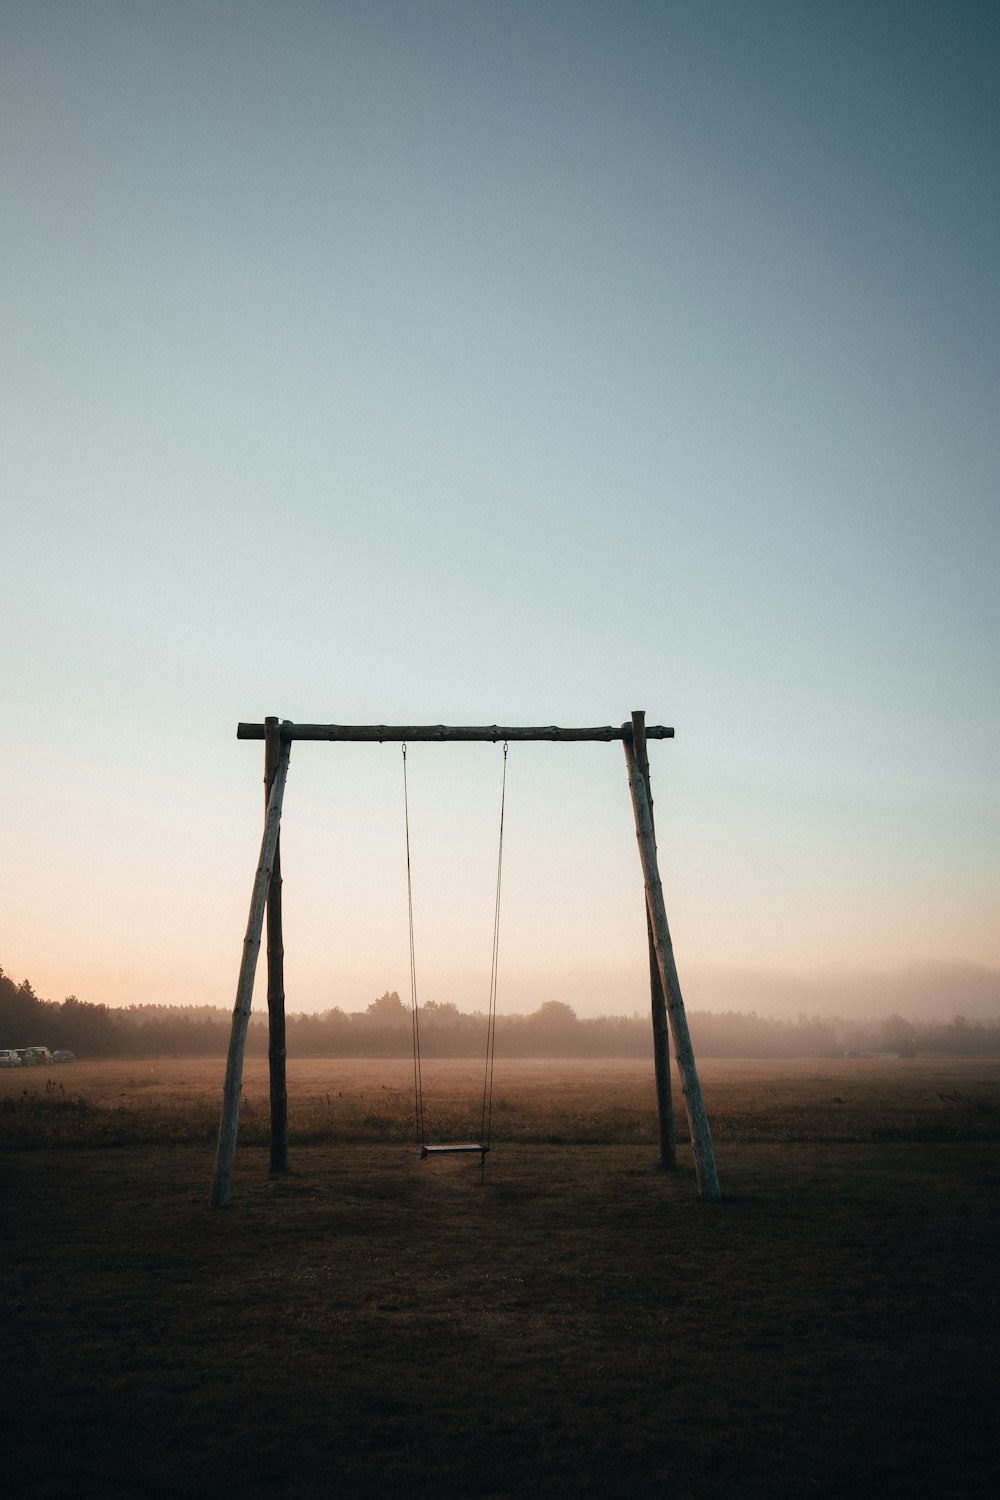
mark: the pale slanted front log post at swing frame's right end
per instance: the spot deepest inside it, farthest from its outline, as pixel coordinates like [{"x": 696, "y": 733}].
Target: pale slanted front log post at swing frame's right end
[{"x": 692, "y": 1090}]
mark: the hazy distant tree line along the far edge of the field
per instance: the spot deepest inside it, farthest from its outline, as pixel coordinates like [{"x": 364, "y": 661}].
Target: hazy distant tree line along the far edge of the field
[{"x": 385, "y": 1031}]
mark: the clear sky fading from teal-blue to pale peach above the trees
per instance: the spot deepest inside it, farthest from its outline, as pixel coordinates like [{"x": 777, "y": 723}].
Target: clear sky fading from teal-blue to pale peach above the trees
[{"x": 385, "y": 362}]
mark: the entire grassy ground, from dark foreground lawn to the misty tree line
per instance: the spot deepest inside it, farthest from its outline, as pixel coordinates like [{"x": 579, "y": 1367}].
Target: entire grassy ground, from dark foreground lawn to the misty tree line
[{"x": 578, "y": 1324}]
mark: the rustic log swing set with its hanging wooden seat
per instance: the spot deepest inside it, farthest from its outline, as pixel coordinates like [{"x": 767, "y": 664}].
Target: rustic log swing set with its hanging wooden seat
[{"x": 266, "y": 901}]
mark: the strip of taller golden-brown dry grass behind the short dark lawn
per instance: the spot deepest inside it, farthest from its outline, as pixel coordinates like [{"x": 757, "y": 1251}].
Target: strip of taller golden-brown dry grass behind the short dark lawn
[{"x": 539, "y": 1103}]
